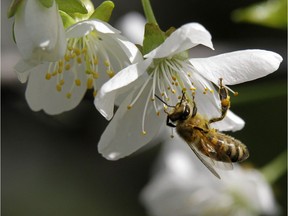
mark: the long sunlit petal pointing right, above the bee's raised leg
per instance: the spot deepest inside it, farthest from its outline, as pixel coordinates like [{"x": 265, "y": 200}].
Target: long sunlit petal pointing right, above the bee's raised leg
[{"x": 237, "y": 67}]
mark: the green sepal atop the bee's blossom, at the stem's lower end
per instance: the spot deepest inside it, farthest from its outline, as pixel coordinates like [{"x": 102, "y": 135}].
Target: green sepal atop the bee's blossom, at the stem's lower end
[{"x": 153, "y": 37}]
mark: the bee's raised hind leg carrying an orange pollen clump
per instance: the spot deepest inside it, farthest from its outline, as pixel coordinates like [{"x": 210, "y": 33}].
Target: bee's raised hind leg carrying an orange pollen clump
[{"x": 225, "y": 101}]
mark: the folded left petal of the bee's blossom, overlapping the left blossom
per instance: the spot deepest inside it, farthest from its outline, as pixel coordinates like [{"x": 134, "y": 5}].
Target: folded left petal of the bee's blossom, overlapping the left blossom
[{"x": 121, "y": 82}]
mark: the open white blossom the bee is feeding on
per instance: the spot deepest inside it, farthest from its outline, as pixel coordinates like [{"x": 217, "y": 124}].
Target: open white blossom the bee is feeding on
[{"x": 167, "y": 71}]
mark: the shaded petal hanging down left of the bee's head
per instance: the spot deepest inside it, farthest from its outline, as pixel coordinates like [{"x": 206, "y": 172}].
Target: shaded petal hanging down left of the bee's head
[{"x": 122, "y": 136}]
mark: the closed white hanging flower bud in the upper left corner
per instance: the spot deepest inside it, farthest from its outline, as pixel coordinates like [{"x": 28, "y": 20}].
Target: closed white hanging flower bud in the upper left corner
[{"x": 39, "y": 32}]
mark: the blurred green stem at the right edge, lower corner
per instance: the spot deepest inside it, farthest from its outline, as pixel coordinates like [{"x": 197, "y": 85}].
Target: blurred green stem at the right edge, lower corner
[{"x": 276, "y": 168}]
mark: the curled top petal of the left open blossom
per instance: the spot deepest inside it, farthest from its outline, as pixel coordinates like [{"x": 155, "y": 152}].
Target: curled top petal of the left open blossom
[{"x": 84, "y": 27}]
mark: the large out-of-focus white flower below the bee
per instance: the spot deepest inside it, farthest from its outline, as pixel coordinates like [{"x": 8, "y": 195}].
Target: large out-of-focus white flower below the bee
[{"x": 182, "y": 186}]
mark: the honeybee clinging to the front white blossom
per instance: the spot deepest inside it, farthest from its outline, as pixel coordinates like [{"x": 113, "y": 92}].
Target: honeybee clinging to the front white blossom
[{"x": 210, "y": 146}]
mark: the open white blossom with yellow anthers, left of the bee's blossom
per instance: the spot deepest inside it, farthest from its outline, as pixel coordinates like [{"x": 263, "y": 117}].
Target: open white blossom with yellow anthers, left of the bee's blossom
[{"x": 95, "y": 52}]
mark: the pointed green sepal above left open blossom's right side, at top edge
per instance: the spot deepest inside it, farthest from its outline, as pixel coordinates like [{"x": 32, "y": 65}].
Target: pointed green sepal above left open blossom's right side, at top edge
[{"x": 103, "y": 11}]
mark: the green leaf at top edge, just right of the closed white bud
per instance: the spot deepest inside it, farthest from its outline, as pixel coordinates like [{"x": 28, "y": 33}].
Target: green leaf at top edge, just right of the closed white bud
[{"x": 72, "y": 6}]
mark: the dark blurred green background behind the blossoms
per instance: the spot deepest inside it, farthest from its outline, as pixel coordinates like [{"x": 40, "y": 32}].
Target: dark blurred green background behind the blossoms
[{"x": 50, "y": 164}]
